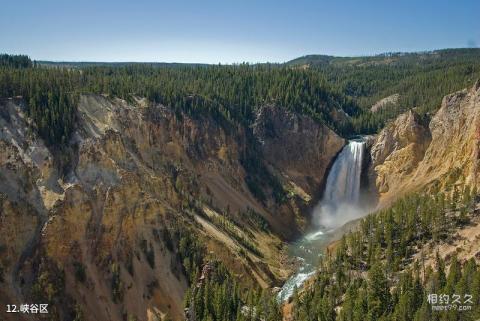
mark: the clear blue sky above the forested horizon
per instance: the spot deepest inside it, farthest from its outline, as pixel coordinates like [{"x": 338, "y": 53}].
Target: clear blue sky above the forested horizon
[{"x": 207, "y": 31}]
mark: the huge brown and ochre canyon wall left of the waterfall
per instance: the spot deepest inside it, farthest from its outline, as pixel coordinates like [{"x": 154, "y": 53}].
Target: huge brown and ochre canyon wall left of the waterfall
[{"x": 147, "y": 196}]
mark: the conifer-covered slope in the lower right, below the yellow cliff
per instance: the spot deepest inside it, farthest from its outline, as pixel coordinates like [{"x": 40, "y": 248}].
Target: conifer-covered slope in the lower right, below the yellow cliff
[{"x": 372, "y": 275}]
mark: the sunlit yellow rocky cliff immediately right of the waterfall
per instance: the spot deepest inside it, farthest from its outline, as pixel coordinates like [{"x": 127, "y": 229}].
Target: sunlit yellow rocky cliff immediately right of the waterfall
[{"x": 410, "y": 154}]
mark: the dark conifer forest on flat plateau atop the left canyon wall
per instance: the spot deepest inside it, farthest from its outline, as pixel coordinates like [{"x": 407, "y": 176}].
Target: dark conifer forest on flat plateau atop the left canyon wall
[{"x": 228, "y": 93}]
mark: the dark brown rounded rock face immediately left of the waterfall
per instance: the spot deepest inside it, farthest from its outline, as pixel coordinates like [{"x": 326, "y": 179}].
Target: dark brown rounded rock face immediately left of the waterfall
[{"x": 302, "y": 148}]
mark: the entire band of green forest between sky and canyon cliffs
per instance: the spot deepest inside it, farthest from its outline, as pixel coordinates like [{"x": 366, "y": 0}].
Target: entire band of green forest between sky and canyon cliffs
[{"x": 335, "y": 91}]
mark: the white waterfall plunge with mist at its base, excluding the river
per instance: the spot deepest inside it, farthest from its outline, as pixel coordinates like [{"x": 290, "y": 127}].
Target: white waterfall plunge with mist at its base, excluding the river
[{"x": 340, "y": 202}]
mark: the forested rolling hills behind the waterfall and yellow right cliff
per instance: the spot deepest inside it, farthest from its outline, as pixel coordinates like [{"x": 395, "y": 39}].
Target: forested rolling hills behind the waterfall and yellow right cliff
[{"x": 420, "y": 80}]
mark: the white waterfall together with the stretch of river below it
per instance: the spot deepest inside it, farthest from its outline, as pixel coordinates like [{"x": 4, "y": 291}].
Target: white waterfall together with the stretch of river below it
[{"x": 341, "y": 203}]
